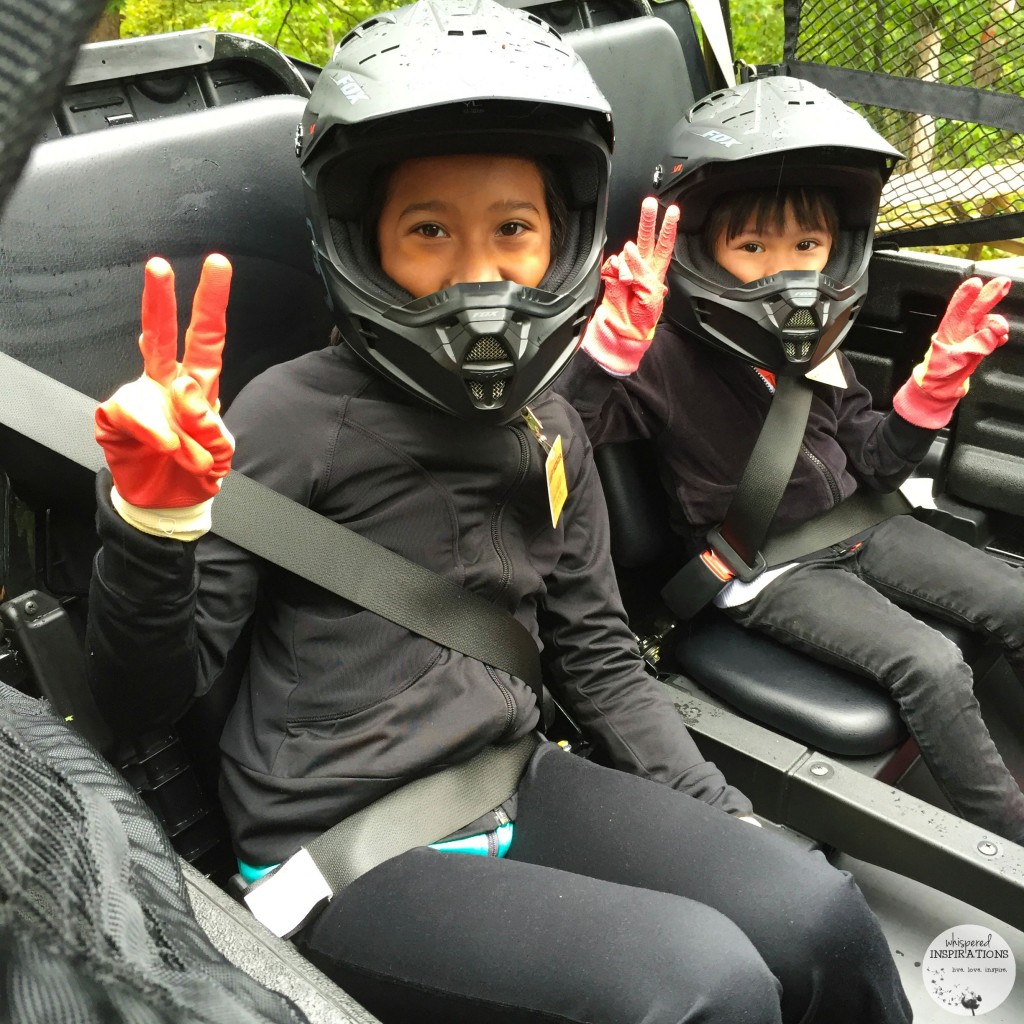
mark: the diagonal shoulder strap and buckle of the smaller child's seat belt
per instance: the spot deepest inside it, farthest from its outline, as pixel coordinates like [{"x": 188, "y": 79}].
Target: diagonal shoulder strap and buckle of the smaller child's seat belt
[{"x": 736, "y": 546}]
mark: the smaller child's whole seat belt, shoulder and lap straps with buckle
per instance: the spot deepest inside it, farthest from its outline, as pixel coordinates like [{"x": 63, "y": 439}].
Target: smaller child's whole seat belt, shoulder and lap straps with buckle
[{"x": 743, "y": 547}]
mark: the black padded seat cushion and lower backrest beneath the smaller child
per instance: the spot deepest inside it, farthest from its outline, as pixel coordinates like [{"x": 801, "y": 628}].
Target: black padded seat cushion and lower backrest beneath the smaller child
[{"x": 824, "y": 706}]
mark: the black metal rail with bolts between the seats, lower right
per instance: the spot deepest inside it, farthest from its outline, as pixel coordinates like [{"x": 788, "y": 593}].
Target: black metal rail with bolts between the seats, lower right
[{"x": 816, "y": 795}]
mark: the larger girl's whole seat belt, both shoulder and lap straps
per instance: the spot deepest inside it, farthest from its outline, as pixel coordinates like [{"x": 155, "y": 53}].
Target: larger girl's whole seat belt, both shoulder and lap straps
[{"x": 302, "y": 541}]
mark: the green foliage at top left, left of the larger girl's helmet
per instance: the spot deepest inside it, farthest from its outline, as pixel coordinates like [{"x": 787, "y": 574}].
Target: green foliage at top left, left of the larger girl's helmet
[{"x": 306, "y": 29}]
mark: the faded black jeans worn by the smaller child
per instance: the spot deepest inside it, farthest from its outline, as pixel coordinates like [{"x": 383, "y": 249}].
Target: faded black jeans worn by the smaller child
[{"x": 847, "y": 608}]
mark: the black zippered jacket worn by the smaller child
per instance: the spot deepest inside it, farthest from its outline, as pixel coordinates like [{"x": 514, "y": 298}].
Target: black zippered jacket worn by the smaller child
[{"x": 703, "y": 410}]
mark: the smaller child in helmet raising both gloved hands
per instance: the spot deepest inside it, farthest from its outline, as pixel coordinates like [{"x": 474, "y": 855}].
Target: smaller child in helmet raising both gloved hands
[{"x": 776, "y": 277}]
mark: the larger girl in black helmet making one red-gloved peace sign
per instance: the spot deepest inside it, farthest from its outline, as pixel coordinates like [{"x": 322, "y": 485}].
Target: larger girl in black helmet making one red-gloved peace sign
[{"x": 459, "y": 236}]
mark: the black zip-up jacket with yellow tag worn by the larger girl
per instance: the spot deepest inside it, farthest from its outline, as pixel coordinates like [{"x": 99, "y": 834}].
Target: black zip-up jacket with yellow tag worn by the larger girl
[{"x": 337, "y": 706}]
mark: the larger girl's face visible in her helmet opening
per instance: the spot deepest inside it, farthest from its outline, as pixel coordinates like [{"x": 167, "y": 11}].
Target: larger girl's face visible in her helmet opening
[{"x": 465, "y": 219}]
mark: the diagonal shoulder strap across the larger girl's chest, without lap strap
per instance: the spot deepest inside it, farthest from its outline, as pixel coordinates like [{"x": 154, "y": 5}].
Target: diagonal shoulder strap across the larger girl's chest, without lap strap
[{"x": 295, "y": 538}]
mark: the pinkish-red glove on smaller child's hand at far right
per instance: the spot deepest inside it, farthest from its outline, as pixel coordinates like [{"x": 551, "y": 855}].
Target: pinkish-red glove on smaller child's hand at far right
[{"x": 967, "y": 334}]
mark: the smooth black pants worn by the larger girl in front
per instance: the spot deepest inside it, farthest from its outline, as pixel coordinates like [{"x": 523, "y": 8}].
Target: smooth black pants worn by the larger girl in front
[{"x": 621, "y": 902}]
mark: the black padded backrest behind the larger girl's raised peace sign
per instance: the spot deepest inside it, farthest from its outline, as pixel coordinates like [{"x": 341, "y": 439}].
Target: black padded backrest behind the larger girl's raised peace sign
[{"x": 92, "y": 209}]
